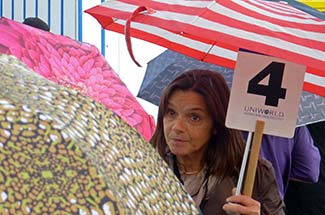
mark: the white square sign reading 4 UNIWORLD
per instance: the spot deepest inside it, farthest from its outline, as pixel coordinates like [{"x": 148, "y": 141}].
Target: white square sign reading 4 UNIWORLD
[{"x": 265, "y": 88}]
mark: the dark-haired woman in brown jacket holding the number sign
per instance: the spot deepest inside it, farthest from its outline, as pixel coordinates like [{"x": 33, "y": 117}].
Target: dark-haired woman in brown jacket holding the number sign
[{"x": 205, "y": 155}]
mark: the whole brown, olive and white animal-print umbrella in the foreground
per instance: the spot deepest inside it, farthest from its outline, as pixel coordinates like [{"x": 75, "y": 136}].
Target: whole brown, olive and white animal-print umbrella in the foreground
[{"x": 63, "y": 153}]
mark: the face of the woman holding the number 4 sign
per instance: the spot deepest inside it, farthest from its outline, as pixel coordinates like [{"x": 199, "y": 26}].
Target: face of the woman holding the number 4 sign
[{"x": 187, "y": 124}]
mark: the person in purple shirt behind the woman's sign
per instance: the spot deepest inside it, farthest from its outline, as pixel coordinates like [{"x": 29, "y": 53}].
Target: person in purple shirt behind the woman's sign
[{"x": 293, "y": 158}]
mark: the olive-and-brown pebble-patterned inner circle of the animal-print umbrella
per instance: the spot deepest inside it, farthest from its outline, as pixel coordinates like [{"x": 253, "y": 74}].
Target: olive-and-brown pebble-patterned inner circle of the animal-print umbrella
[{"x": 44, "y": 172}]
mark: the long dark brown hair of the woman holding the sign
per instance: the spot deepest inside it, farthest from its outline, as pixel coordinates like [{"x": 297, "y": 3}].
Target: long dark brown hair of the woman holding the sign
[{"x": 225, "y": 150}]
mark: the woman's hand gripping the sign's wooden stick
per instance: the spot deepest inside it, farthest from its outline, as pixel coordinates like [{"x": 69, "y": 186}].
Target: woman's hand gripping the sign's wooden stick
[{"x": 241, "y": 204}]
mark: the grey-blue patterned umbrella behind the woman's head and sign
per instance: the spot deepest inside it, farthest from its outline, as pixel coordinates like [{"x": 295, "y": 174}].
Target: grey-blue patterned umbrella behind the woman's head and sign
[{"x": 168, "y": 65}]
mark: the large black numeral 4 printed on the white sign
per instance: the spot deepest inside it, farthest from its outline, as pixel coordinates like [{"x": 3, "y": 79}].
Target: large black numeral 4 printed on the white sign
[{"x": 273, "y": 91}]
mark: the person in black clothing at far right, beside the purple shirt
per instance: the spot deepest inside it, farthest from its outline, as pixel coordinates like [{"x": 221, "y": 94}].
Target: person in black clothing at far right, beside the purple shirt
[{"x": 309, "y": 199}]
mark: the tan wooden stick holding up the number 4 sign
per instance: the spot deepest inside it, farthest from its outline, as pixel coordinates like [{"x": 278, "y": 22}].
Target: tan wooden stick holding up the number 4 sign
[{"x": 253, "y": 158}]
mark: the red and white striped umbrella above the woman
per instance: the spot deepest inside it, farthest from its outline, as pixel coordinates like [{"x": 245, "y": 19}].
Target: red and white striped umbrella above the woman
[{"x": 213, "y": 31}]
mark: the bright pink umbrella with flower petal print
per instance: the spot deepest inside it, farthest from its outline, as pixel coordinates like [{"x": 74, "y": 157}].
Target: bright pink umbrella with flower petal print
[{"x": 75, "y": 65}]
